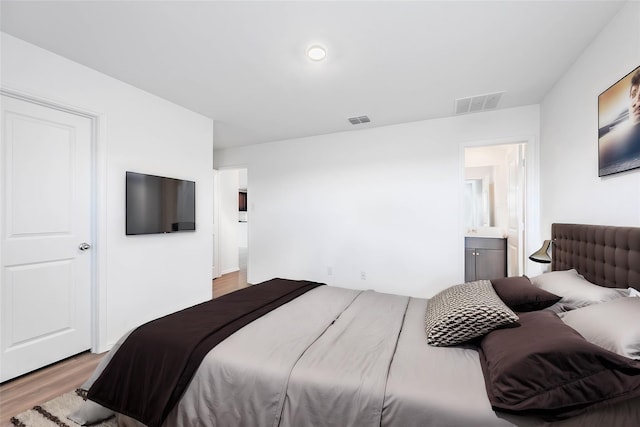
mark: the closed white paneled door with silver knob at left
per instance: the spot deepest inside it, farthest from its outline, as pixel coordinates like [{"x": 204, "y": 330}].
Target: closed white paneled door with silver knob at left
[{"x": 45, "y": 218}]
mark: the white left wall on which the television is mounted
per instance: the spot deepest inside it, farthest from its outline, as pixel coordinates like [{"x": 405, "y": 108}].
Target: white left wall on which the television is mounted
[{"x": 139, "y": 277}]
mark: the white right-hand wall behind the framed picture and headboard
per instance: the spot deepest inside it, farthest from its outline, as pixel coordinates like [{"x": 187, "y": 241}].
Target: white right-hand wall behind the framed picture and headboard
[{"x": 571, "y": 190}]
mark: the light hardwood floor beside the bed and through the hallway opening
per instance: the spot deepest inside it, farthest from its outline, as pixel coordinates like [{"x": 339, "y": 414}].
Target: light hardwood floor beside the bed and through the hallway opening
[{"x": 44, "y": 384}]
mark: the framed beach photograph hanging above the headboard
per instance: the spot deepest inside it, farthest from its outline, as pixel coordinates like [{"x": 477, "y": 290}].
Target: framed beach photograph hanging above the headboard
[{"x": 619, "y": 126}]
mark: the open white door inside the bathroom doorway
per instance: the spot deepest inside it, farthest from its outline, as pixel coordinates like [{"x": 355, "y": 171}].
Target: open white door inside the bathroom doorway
[{"x": 515, "y": 203}]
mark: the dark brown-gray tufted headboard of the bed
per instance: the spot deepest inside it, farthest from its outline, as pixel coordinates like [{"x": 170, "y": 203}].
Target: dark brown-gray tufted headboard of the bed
[{"x": 605, "y": 255}]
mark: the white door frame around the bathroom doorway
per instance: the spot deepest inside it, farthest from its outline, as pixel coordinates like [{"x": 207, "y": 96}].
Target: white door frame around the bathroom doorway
[{"x": 532, "y": 196}]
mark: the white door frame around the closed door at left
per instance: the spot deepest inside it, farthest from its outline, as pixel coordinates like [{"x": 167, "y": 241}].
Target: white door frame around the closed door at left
[{"x": 97, "y": 208}]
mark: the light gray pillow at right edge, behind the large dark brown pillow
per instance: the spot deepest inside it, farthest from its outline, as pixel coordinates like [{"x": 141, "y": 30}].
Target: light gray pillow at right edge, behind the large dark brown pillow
[{"x": 613, "y": 325}]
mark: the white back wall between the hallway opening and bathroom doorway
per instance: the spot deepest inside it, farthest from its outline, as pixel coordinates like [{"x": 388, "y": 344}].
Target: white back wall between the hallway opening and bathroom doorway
[{"x": 384, "y": 201}]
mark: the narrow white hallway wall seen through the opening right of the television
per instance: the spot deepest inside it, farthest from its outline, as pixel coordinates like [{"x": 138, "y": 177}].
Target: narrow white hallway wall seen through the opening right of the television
[{"x": 229, "y": 184}]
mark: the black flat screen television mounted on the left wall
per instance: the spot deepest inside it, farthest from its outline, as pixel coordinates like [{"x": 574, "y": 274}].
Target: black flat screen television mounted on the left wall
[{"x": 157, "y": 204}]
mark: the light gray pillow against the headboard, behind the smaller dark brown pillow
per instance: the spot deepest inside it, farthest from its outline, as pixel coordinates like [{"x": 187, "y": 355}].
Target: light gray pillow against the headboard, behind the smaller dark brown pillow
[{"x": 575, "y": 290}]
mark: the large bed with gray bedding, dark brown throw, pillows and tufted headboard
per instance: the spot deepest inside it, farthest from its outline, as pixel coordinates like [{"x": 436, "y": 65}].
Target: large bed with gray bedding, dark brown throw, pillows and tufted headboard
[{"x": 333, "y": 356}]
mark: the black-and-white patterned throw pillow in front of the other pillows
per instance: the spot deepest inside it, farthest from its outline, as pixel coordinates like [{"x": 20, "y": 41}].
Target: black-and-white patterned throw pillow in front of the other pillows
[{"x": 463, "y": 312}]
